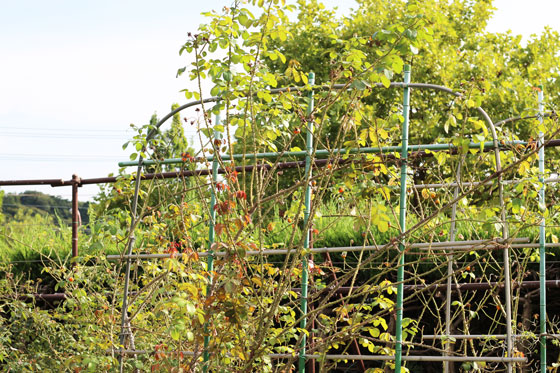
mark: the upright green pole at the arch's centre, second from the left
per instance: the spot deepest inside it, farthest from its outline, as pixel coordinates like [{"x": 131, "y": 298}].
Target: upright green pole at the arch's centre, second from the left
[{"x": 307, "y": 213}]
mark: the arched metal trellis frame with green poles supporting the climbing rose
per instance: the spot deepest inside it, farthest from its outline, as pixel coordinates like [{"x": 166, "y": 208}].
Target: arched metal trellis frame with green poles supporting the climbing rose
[{"x": 405, "y": 149}]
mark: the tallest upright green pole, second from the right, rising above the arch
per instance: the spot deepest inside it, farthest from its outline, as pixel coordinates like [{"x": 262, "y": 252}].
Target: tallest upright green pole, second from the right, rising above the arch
[{"x": 402, "y": 220}]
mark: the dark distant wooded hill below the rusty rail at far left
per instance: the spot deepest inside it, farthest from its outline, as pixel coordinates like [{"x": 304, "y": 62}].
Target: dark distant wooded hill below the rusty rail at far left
[{"x": 41, "y": 203}]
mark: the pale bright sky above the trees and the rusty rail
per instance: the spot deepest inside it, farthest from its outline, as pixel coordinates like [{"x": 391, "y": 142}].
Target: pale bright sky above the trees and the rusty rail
[{"x": 75, "y": 74}]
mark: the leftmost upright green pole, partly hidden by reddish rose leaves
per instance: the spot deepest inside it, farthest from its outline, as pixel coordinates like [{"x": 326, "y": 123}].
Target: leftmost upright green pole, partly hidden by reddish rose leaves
[{"x": 211, "y": 236}]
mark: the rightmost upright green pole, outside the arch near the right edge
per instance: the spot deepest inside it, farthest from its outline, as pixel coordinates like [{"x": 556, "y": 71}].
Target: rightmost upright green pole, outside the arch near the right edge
[{"x": 542, "y": 239}]
